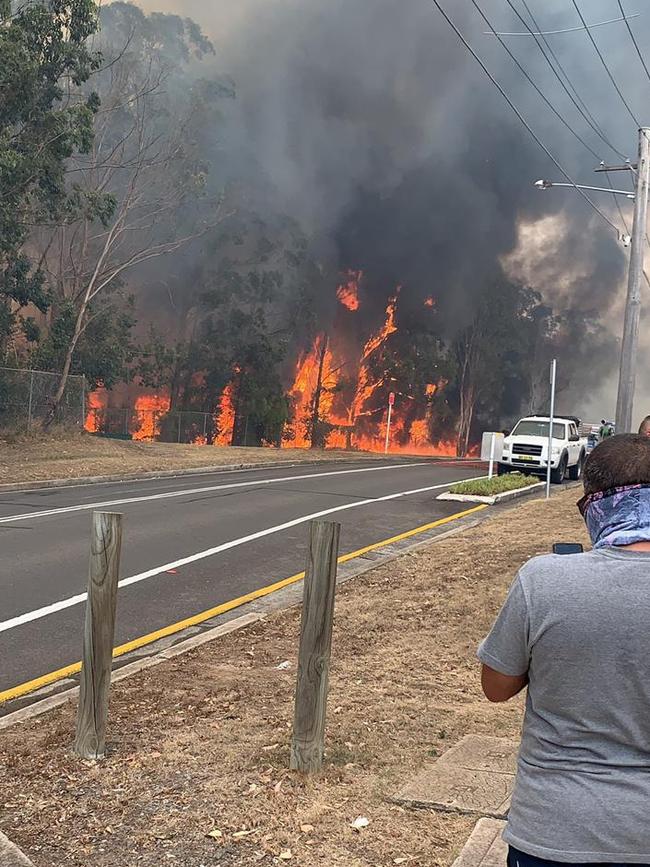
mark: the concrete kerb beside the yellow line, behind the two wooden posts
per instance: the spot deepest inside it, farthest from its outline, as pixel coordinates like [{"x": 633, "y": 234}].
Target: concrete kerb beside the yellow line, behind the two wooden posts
[{"x": 183, "y": 642}]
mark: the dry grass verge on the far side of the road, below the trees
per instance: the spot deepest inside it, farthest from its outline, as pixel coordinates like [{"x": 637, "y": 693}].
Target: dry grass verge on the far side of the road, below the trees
[{"x": 72, "y": 456}]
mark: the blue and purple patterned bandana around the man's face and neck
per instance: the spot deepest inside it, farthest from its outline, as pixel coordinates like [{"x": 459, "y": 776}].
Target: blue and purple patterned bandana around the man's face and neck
[{"x": 620, "y": 516}]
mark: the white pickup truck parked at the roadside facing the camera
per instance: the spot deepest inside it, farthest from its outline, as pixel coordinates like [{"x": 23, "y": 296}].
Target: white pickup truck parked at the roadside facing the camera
[{"x": 526, "y": 448}]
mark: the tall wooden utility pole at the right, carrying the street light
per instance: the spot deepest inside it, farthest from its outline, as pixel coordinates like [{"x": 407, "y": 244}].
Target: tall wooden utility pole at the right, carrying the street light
[{"x": 627, "y": 374}]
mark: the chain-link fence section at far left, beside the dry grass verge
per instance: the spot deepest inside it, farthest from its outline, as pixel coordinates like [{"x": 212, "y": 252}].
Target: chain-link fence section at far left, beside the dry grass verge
[{"x": 26, "y": 398}]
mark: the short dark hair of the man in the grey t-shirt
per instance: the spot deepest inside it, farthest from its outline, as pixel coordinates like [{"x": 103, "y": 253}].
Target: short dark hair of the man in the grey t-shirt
[{"x": 618, "y": 461}]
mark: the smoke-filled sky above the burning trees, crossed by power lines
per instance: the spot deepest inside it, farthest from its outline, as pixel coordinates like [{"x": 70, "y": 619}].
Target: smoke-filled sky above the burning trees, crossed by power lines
[{"x": 380, "y": 133}]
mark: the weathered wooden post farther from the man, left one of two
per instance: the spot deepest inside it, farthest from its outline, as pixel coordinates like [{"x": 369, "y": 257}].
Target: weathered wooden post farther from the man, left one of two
[{"x": 99, "y": 632}]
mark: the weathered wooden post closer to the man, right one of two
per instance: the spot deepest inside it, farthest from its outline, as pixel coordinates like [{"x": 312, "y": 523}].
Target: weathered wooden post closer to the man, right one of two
[{"x": 308, "y": 741}]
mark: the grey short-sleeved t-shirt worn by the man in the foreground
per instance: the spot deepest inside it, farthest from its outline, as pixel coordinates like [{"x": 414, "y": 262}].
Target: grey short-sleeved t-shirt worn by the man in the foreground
[{"x": 580, "y": 626}]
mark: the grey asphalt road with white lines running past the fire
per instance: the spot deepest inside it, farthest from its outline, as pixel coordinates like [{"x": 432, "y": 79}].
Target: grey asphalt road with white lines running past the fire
[{"x": 190, "y": 543}]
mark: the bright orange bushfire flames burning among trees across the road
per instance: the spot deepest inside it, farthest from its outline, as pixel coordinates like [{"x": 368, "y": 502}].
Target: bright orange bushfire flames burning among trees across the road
[{"x": 338, "y": 398}]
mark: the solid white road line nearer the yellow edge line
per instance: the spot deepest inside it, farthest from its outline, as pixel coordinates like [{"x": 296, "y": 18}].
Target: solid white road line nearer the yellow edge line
[{"x": 38, "y": 613}]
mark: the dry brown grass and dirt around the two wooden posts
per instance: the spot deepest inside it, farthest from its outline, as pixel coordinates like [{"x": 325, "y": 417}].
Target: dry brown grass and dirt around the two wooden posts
[{"x": 197, "y": 773}]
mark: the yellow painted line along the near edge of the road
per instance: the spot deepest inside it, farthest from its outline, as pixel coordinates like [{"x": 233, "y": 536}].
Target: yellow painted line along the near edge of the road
[{"x": 172, "y": 629}]
